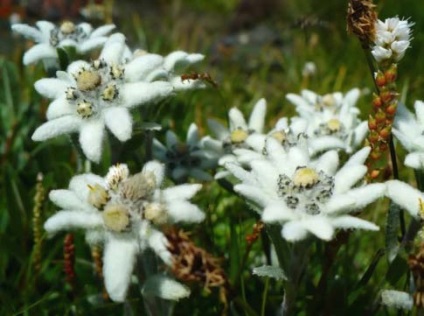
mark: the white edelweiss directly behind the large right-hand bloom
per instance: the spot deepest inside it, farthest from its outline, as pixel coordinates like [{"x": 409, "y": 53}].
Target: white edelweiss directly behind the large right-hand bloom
[{"x": 332, "y": 120}]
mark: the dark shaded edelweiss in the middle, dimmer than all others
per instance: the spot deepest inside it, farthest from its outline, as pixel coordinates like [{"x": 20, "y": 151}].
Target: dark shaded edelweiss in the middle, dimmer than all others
[{"x": 185, "y": 159}]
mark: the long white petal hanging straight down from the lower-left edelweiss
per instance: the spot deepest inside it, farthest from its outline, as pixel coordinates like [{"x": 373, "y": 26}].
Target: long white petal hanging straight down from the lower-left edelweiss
[{"x": 118, "y": 263}]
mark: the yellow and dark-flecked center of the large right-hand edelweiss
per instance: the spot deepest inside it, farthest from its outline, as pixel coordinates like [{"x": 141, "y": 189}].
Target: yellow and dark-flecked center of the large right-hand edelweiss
[{"x": 306, "y": 191}]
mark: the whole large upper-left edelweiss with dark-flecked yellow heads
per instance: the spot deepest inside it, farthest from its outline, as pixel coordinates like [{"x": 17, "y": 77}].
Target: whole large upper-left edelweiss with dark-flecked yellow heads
[{"x": 90, "y": 96}]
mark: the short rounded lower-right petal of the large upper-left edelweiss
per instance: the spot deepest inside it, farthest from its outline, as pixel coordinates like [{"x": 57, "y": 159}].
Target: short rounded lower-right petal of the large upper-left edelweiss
[{"x": 119, "y": 122}]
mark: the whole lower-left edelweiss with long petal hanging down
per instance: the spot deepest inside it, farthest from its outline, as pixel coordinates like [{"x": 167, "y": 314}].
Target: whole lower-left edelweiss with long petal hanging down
[{"x": 124, "y": 213}]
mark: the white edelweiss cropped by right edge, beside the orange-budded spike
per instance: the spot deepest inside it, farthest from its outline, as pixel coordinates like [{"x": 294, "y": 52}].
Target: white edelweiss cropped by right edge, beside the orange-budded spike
[{"x": 409, "y": 130}]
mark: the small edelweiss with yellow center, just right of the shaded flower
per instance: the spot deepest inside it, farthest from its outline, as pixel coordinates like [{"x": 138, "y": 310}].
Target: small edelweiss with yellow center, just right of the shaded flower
[{"x": 235, "y": 136}]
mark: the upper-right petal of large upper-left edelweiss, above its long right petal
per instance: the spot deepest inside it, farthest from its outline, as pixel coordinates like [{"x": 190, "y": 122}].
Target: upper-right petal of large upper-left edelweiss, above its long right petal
[{"x": 141, "y": 67}]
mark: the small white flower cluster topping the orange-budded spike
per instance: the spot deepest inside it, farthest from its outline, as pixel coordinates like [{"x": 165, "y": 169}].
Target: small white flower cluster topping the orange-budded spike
[{"x": 392, "y": 39}]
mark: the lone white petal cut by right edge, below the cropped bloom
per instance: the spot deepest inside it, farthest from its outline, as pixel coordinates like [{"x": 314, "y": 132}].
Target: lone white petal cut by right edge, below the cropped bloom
[{"x": 405, "y": 196}]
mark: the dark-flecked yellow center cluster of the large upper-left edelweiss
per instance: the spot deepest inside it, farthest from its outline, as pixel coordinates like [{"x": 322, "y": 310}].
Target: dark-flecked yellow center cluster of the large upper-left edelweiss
[{"x": 97, "y": 86}]
